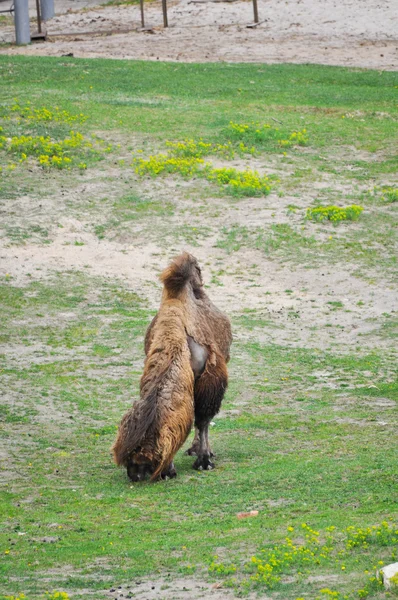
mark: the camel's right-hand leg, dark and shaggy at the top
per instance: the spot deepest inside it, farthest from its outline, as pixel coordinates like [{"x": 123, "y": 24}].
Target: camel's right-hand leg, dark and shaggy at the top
[{"x": 209, "y": 392}]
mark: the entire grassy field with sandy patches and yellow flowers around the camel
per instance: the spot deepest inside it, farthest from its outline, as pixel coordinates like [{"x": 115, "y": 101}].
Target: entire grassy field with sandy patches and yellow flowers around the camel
[{"x": 308, "y": 432}]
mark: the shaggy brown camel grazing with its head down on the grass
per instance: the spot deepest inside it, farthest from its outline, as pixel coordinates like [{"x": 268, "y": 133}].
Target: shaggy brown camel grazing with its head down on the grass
[{"x": 185, "y": 377}]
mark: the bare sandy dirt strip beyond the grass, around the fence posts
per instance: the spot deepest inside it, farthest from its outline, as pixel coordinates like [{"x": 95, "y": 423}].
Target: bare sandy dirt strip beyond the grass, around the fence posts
[{"x": 333, "y": 32}]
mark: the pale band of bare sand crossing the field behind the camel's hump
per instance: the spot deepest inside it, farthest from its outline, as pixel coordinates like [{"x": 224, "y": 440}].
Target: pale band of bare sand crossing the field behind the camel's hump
[{"x": 249, "y": 280}]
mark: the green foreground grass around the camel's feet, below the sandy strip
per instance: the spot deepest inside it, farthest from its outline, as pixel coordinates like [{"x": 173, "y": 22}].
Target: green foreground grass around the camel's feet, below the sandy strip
[{"x": 295, "y": 464}]
